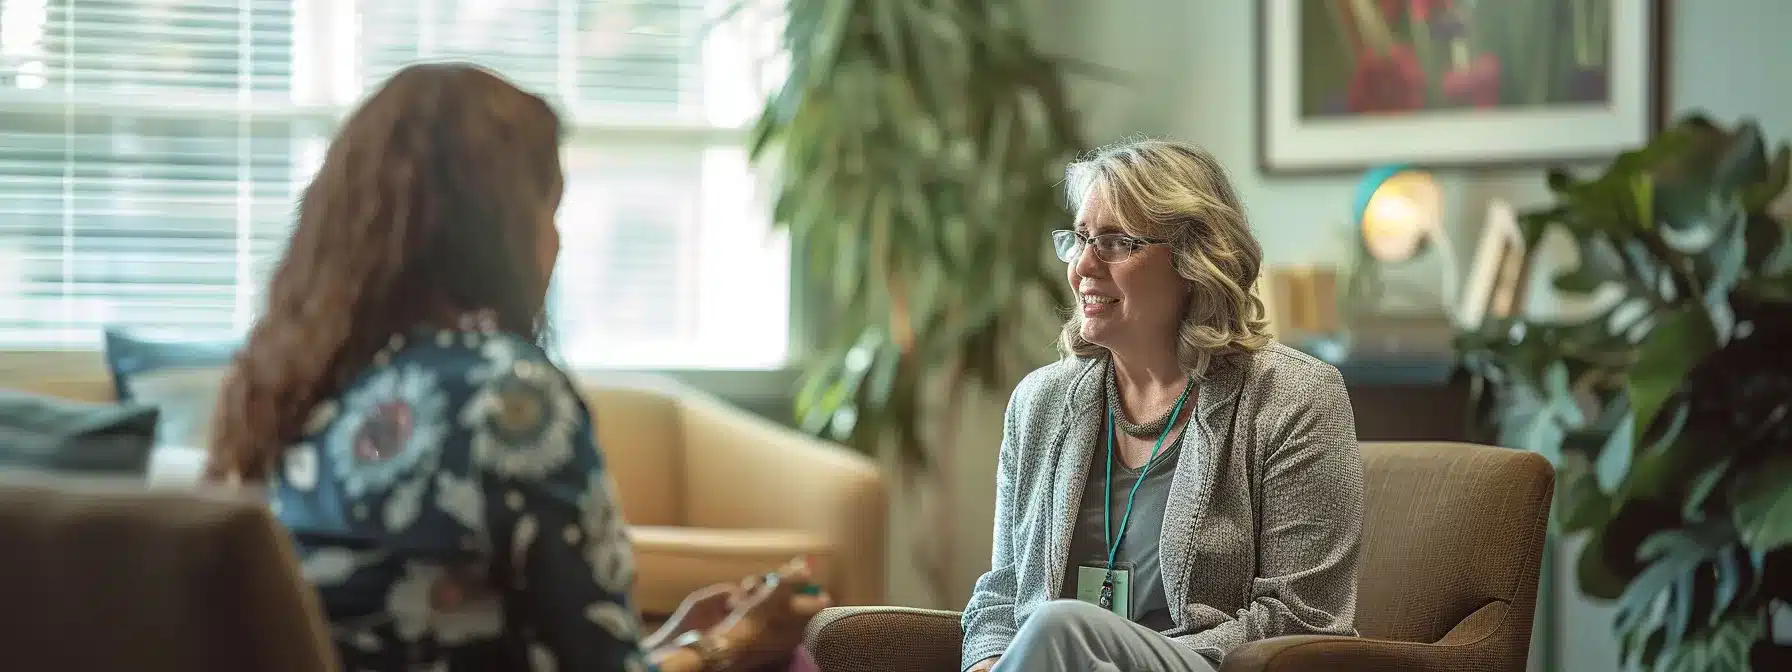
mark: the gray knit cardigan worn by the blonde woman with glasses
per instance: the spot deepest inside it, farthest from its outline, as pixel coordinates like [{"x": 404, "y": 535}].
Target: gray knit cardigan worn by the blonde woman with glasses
[{"x": 1264, "y": 522}]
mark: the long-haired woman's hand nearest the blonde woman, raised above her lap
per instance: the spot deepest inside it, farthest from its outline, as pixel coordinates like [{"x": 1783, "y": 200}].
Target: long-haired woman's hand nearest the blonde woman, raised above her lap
[{"x": 768, "y": 626}]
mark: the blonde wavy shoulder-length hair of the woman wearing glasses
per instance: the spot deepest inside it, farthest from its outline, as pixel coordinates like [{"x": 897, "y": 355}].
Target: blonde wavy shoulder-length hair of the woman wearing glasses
[{"x": 1178, "y": 193}]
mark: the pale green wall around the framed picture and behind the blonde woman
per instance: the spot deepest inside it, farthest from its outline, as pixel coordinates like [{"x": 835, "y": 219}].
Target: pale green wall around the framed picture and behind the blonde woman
[{"x": 1191, "y": 76}]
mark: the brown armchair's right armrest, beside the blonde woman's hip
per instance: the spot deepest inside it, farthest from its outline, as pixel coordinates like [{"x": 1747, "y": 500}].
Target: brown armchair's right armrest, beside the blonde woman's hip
[{"x": 1465, "y": 648}]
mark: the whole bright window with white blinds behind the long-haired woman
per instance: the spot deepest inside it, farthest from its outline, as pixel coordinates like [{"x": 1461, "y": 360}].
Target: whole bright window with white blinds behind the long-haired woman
[{"x": 151, "y": 153}]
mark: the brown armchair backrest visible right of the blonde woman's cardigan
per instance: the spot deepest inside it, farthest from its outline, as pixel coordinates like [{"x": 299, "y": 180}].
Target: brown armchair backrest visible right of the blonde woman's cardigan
[{"x": 1451, "y": 528}]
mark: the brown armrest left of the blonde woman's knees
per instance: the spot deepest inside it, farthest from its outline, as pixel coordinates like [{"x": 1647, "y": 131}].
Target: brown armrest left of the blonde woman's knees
[{"x": 886, "y": 641}]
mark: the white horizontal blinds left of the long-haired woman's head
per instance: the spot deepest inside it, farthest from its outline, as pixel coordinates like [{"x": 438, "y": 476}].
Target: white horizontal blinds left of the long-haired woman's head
[{"x": 137, "y": 187}]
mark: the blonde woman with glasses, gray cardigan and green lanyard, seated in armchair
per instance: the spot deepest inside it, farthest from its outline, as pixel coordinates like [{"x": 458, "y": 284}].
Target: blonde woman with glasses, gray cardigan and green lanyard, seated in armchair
[{"x": 1180, "y": 483}]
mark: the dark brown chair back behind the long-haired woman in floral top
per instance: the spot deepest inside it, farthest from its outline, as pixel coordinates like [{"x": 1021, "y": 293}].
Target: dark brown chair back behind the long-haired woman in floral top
[{"x": 105, "y": 576}]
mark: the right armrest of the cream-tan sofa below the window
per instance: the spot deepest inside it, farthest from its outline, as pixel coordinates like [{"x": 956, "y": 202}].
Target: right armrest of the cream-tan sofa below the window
[{"x": 746, "y": 472}]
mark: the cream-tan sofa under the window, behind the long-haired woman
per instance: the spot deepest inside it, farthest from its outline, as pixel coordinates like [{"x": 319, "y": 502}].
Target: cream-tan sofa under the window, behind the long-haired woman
[{"x": 712, "y": 492}]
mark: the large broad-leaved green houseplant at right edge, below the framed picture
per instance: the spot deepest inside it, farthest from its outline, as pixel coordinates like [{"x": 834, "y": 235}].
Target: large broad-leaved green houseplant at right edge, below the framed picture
[{"x": 1669, "y": 411}]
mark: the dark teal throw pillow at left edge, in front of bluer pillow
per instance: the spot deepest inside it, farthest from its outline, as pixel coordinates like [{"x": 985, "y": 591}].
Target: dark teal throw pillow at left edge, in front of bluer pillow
[{"x": 42, "y": 433}]
